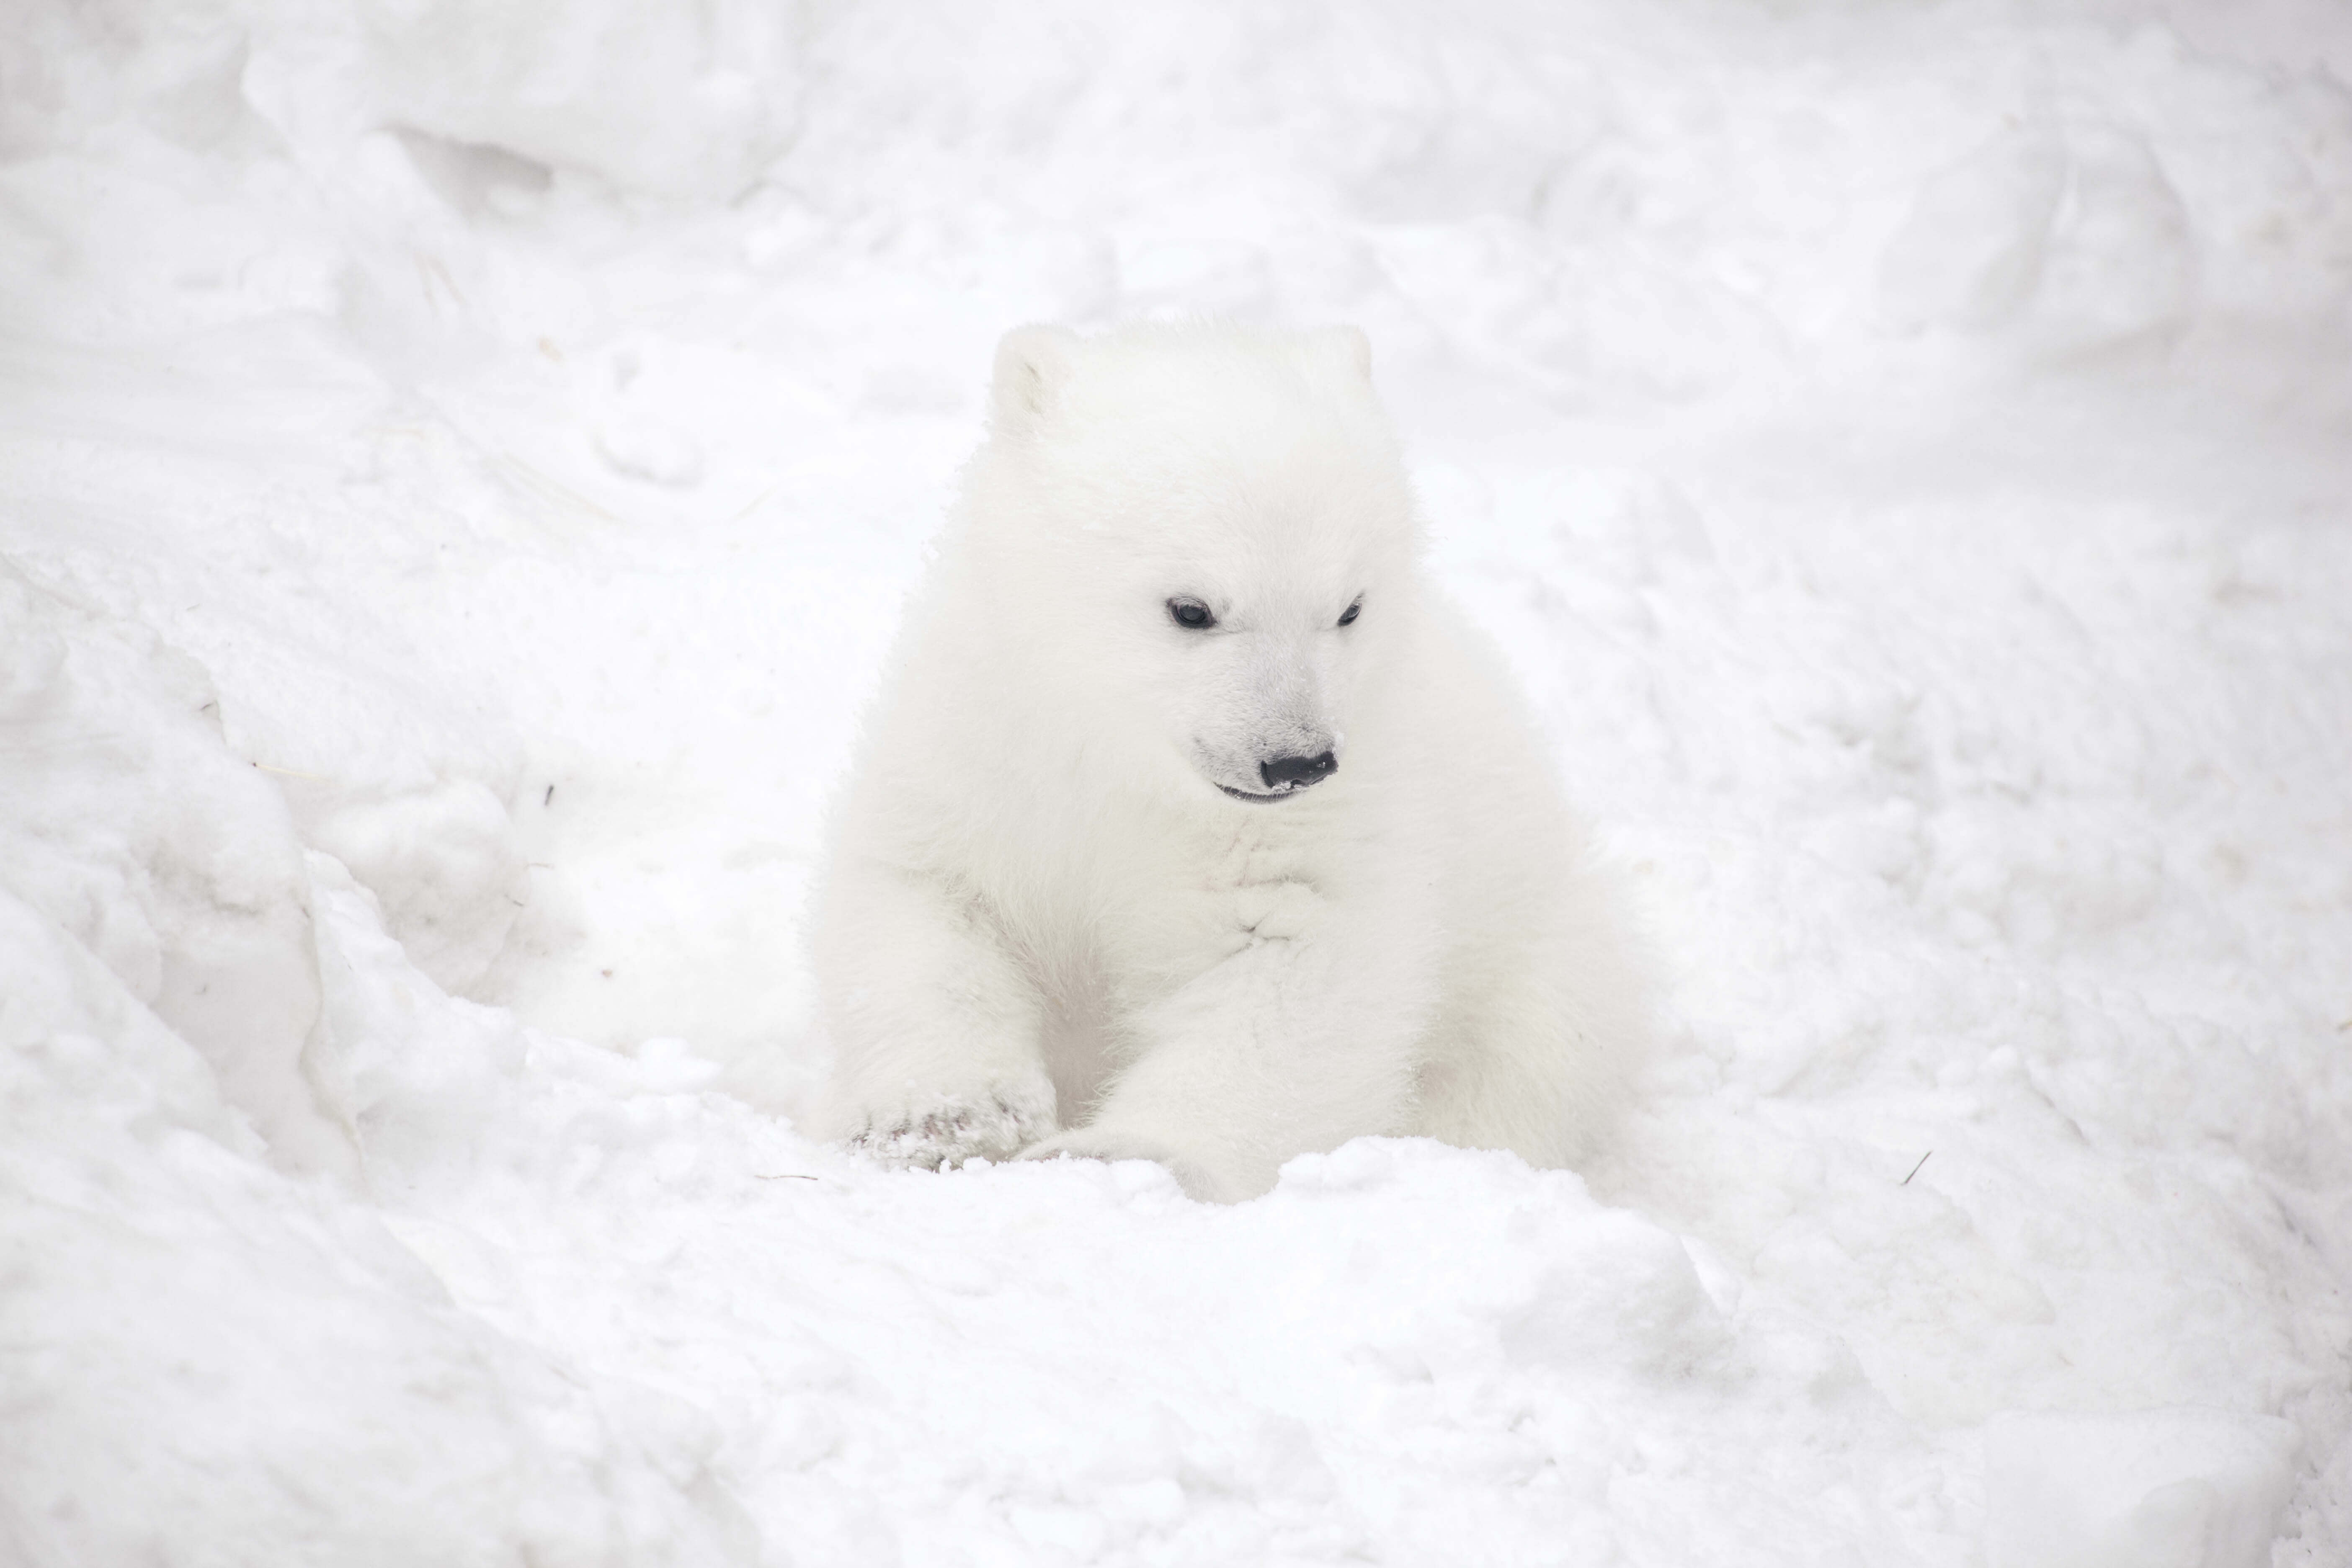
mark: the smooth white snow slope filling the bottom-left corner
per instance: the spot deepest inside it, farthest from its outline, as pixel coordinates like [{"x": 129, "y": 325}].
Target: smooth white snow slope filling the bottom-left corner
[{"x": 213, "y": 1362}]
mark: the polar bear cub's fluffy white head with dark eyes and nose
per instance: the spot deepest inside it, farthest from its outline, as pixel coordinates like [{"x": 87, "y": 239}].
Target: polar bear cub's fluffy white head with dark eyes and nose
[{"x": 1208, "y": 542}]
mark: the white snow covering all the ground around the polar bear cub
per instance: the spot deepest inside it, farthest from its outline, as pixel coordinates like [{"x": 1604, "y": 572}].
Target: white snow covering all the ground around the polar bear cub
[{"x": 457, "y": 476}]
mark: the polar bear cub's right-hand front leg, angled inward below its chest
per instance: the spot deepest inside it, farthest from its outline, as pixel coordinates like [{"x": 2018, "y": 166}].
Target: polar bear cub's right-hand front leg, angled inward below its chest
[{"x": 1276, "y": 1052}]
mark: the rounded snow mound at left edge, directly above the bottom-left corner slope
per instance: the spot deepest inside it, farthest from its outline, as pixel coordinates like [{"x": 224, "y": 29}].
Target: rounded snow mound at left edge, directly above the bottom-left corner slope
[{"x": 131, "y": 831}]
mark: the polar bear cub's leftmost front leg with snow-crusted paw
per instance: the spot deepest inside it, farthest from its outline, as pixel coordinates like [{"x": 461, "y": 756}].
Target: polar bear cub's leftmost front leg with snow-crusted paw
[{"x": 935, "y": 1024}]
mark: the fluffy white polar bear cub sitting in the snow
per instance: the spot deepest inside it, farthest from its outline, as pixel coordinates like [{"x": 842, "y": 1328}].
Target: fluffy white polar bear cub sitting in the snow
[{"x": 1194, "y": 824}]
